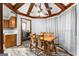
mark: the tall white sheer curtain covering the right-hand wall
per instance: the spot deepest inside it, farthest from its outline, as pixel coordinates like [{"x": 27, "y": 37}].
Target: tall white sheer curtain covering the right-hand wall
[{"x": 66, "y": 30}]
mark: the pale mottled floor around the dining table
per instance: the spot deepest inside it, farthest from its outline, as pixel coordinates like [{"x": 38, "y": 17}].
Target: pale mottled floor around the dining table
[{"x": 25, "y": 51}]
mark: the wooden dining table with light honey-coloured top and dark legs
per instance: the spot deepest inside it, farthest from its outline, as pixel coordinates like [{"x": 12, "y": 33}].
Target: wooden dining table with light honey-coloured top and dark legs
[{"x": 47, "y": 41}]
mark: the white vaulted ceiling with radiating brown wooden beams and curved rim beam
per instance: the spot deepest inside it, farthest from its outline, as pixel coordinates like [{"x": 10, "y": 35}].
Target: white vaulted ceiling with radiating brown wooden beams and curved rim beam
[{"x": 31, "y": 9}]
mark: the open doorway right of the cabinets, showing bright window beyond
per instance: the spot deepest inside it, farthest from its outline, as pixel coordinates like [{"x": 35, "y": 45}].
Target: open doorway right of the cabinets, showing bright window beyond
[{"x": 25, "y": 32}]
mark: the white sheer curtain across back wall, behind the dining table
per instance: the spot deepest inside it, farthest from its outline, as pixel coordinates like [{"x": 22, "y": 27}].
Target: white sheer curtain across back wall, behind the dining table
[{"x": 44, "y": 25}]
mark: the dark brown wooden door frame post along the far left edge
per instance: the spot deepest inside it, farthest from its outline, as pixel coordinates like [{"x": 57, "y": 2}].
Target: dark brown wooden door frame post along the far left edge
[{"x": 1, "y": 28}]
